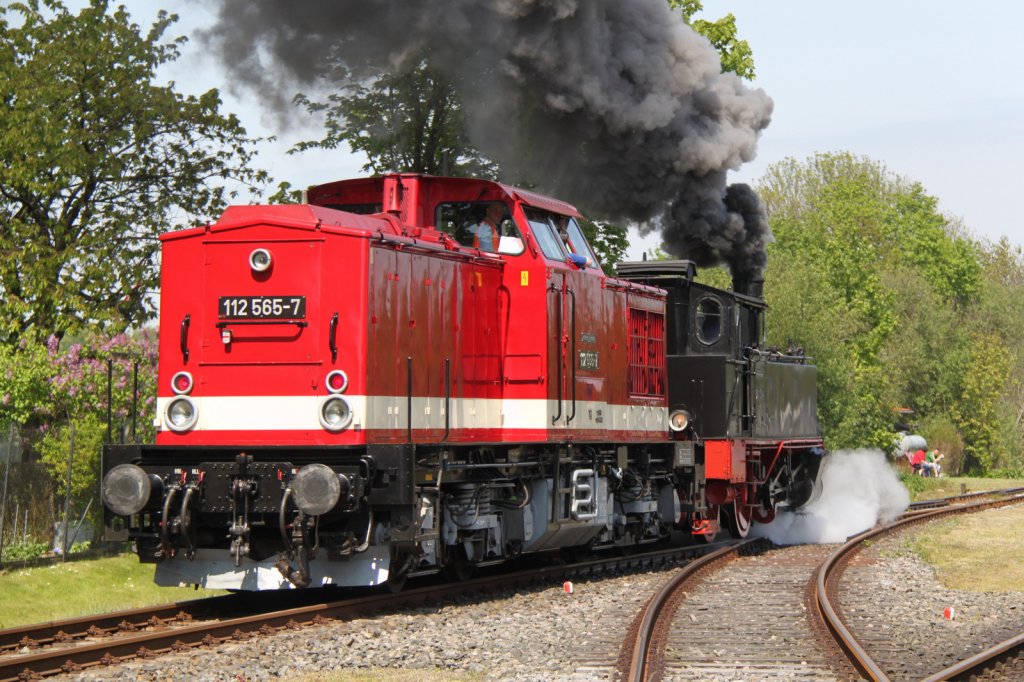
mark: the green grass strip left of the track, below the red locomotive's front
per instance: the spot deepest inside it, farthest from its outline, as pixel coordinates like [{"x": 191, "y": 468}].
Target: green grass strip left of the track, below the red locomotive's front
[{"x": 79, "y": 588}]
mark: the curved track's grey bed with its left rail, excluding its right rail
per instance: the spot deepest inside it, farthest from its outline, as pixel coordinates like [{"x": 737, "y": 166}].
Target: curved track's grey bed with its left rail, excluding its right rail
[{"x": 737, "y": 615}]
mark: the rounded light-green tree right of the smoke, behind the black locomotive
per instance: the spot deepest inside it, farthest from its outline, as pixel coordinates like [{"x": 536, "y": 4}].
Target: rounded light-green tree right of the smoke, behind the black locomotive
[{"x": 875, "y": 283}]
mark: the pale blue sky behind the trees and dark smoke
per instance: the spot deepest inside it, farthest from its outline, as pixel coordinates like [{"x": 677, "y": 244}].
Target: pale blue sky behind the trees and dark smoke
[{"x": 931, "y": 90}]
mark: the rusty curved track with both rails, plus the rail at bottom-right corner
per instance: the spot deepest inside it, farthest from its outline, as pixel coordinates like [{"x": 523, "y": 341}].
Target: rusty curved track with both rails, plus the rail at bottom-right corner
[{"x": 773, "y": 615}]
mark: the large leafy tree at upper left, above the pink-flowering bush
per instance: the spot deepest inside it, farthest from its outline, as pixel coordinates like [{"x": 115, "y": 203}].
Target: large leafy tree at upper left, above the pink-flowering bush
[{"x": 96, "y": 162}]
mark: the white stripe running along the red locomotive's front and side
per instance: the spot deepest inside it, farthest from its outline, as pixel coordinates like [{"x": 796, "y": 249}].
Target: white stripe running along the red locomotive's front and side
[{"x": 302, "y": 413}]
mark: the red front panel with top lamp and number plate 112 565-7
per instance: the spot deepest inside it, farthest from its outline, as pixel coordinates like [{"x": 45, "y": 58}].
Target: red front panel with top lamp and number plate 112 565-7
[{"x": 262, "y": 317}]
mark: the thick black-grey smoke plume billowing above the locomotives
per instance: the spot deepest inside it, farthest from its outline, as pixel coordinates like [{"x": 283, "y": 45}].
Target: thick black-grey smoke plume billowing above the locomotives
[{"x": 614, "y": 105}]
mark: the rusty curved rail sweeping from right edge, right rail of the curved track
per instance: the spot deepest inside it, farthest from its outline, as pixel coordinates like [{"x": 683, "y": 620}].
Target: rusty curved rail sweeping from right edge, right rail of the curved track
[{"x": 855, "y": 652}]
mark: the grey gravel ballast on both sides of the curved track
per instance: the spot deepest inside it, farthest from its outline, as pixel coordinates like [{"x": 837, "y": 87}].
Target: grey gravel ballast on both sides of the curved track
[{"x": 547, "y": 634}]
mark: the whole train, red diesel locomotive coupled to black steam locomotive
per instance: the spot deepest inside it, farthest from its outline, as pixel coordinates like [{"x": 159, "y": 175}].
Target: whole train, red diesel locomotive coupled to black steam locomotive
[{"x": 410, "y": 375}]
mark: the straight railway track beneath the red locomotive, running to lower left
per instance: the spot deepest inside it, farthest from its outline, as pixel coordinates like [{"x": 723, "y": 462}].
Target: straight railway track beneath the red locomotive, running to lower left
[{"x": 70, "y": 647}]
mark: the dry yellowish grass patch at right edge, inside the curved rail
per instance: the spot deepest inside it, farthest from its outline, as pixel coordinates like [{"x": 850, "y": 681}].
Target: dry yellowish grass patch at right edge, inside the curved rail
[{"x": 964, "y": 550}]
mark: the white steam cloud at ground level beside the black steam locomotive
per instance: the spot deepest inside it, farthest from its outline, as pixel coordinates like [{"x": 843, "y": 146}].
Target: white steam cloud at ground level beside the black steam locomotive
[{"x": 860, "y": 489}]
